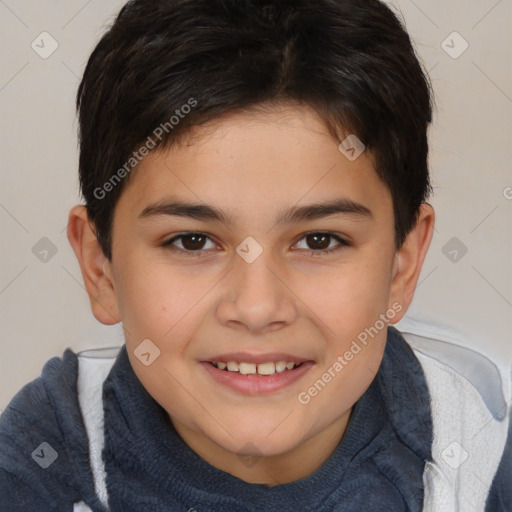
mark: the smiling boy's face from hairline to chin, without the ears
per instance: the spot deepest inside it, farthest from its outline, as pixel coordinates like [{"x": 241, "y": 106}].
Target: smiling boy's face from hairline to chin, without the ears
[{"x": 290, "y": 303}]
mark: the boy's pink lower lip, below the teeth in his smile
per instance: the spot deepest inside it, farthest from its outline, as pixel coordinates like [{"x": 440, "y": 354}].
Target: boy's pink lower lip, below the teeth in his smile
[{"x": 254, "y": 384}]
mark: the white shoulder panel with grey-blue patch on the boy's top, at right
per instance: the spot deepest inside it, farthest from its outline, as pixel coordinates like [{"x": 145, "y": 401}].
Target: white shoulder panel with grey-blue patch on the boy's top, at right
[{"x": 469, "y": 394}]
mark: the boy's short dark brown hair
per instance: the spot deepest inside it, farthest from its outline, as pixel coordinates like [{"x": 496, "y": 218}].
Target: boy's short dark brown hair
[{"x": 351, "y": 61}]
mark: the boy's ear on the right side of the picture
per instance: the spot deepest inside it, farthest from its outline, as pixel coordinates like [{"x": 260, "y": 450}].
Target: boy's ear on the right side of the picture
[{"x": 409, "y": 260}]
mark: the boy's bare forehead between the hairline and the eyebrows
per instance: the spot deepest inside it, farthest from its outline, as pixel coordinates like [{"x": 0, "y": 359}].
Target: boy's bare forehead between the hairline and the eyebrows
[{"x": 257, "y": 160}]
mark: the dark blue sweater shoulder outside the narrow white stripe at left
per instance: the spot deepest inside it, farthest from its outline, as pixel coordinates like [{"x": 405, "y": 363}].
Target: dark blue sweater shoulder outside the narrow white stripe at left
[{"x": 43, "y": 444}]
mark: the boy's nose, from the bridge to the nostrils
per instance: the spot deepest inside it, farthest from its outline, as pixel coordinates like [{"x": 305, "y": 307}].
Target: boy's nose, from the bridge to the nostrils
[{"x": 257, "y": 297}]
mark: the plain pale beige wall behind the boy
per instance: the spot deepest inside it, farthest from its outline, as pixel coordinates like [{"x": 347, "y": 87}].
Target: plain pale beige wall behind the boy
[{"x": 466, "y": 281}]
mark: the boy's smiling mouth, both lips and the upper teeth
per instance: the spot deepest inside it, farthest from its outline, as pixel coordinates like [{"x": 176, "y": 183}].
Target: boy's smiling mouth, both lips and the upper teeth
[{"x": 256, "y": 376}]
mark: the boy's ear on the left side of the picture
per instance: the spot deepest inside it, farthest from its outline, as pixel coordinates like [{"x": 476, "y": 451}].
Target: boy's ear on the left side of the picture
[{"x": 96, "y": 268}]
